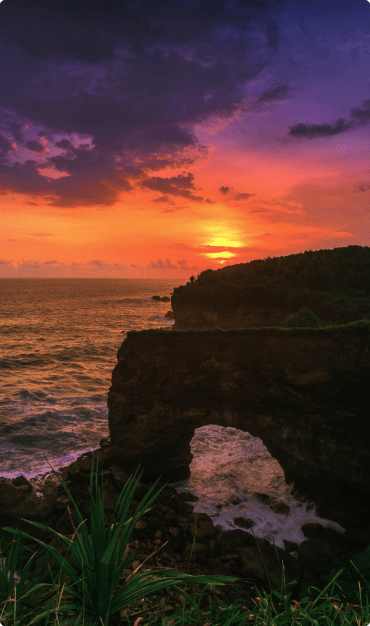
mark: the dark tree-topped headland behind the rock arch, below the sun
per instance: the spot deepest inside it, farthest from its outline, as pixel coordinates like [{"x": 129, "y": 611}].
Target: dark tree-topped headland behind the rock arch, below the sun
[{"x": 333, "y": 284}]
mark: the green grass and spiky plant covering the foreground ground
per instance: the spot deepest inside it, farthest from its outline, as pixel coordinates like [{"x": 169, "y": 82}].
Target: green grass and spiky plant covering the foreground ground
[{"x": 94, "y": 587}]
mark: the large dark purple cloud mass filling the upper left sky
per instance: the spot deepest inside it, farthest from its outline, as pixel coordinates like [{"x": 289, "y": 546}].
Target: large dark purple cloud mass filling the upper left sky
[{"x": 126, "y": 75}]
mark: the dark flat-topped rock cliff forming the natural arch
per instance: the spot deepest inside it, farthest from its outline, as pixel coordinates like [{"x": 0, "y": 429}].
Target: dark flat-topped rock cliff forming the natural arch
[{"x": 304, "y": 392}]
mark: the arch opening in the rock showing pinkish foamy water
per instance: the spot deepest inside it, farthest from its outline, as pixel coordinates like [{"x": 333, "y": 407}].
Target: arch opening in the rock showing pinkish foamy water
[{"x": 235, "y": 480}]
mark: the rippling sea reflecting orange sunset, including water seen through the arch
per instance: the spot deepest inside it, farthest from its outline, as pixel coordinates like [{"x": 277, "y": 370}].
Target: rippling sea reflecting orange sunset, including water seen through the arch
[{"x": 58, "y": 345}]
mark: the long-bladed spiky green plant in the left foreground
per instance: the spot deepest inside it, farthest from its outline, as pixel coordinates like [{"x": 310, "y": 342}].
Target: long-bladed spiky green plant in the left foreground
[{"x": 102, "y": 559}]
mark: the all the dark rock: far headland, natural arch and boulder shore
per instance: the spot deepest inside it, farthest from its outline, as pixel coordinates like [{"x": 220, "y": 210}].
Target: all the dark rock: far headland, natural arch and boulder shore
[{"x": 303, "y": 391}]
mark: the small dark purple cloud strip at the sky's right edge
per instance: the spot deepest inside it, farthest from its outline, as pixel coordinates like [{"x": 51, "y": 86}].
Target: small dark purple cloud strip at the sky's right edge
[{"x": 360, "y": 117}]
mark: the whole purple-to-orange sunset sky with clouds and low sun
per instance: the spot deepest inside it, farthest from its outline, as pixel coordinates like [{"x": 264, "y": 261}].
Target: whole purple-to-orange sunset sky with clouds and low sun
[{"x": 143, "y": 139}]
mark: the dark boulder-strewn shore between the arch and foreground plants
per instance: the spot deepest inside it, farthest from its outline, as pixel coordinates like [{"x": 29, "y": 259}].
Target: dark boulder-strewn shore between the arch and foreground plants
[{"x": 171, "y": 530}]
